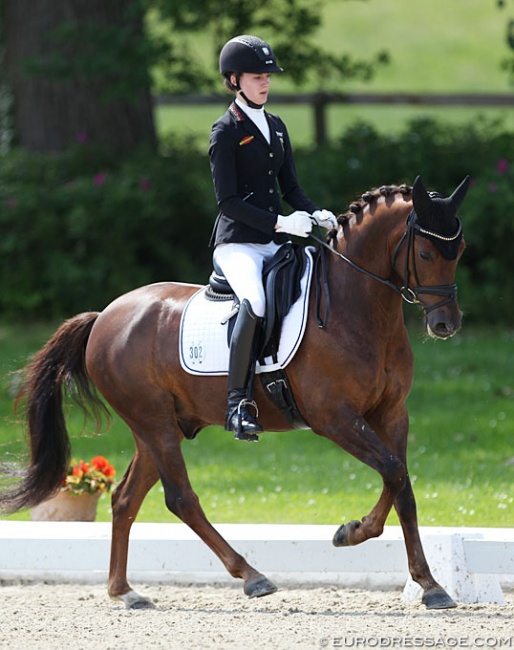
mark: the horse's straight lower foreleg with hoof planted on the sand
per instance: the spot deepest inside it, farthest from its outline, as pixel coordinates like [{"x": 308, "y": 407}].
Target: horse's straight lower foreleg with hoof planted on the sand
[{"x": 434, "y": 596}]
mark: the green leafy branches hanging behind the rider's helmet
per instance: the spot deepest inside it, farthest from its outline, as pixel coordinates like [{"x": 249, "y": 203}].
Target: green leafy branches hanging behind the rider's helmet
[{"x": 290, "y": 25}]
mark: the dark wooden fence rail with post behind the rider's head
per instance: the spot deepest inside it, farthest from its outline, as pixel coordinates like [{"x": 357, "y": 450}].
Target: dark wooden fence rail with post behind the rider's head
[{"x": 321, "y": 101}]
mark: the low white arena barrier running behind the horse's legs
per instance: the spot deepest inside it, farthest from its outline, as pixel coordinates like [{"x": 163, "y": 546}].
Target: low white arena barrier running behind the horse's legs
[{"x": 471, "y": 564}]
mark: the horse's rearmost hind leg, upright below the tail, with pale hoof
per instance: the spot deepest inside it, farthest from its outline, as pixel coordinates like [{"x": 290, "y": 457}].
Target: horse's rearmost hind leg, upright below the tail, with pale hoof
[{"x": 140, "y": 476}]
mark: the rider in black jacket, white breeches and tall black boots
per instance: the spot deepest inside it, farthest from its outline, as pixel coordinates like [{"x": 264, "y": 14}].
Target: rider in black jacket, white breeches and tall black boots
[{"x": 251, "y": 158}]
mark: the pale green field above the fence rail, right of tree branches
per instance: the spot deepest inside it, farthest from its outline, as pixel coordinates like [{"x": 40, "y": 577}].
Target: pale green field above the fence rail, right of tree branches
[{"x": 434, "y": 47}]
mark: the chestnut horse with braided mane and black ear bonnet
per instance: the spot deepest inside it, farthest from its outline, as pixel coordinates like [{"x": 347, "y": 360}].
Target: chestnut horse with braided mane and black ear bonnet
[{"x": 350, "y": 378}]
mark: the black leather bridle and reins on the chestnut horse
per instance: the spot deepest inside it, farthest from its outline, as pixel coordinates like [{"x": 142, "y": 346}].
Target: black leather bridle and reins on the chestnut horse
[{"x": 411, "y": 294}]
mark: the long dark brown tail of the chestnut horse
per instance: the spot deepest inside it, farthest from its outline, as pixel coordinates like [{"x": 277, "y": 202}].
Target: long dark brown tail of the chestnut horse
[{"x": 53, "y": 373}]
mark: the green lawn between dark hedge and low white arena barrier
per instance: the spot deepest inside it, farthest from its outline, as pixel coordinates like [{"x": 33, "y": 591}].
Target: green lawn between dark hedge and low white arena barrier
[{"x": 460, "y": 447}]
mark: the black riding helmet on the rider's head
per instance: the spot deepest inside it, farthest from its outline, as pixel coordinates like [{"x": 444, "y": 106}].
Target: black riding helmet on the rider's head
[{"x": 247, "y": 54}]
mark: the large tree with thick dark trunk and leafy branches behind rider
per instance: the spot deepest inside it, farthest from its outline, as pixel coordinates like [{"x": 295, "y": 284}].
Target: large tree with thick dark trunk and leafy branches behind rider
[{"x": 81, "y": 68}]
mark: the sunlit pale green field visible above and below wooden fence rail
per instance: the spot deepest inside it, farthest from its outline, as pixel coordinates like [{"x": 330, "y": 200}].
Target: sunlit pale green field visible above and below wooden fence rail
[{"x": 435, "y": 47}]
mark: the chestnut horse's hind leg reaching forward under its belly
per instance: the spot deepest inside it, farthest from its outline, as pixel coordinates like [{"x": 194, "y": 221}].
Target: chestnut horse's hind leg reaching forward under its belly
[{"x": 183, "y": 502}]
